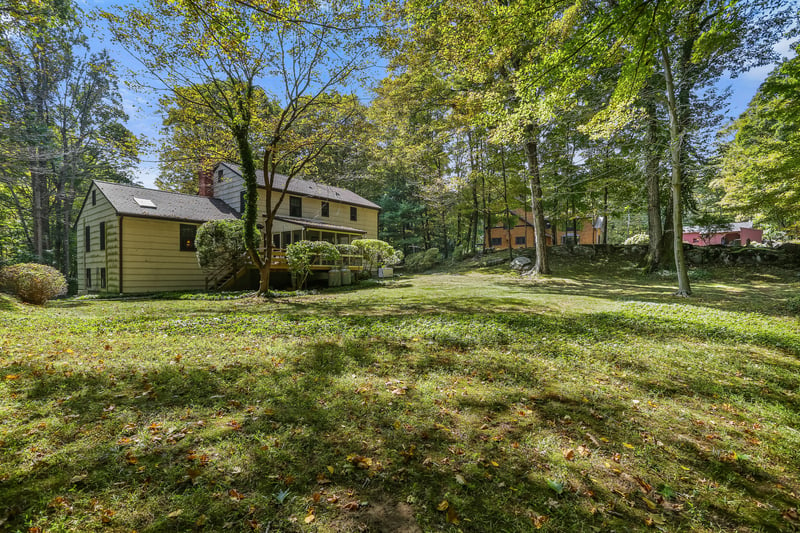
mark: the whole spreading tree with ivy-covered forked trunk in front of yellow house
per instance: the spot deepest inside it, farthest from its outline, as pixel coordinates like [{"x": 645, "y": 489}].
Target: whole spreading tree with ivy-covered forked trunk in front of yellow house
[{"x": 311, "y": 50}]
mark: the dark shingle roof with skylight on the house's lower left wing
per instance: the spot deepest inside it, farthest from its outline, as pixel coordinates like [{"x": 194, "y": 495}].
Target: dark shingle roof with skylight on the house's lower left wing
[{"x": 168, "y": 205}]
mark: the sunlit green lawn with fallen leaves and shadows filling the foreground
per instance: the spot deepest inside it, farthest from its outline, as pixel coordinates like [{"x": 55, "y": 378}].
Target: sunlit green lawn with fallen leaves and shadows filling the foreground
[{"x": 478, "y": 401}]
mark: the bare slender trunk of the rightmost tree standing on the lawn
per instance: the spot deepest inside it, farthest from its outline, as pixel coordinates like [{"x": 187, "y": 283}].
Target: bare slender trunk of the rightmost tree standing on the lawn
[{"x": 676, "y": 135}]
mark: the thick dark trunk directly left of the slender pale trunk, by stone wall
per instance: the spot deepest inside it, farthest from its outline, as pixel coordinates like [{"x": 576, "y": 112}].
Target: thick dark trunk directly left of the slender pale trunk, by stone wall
[{"x": 652, "y": 156}]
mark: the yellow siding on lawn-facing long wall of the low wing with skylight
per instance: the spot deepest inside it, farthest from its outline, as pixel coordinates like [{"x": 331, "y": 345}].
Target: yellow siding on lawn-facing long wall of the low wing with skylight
[{"x": 153, "y": 258}]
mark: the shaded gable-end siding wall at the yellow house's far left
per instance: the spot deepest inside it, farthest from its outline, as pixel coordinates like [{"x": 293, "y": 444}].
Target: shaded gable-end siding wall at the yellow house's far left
[{"x": 96, "y": 259}]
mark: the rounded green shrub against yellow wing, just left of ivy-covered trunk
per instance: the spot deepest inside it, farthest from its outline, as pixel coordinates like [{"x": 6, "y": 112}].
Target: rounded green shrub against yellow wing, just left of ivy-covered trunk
[{"x": 220, "y": 244}]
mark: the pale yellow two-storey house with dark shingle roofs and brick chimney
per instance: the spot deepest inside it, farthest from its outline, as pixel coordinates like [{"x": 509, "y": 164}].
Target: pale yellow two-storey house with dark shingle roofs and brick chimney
[{"x": 136, "y": 240}]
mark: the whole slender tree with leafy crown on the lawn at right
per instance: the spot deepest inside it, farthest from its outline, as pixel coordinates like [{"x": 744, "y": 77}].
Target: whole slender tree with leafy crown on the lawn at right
[{"x": 687, "y": 45}]
